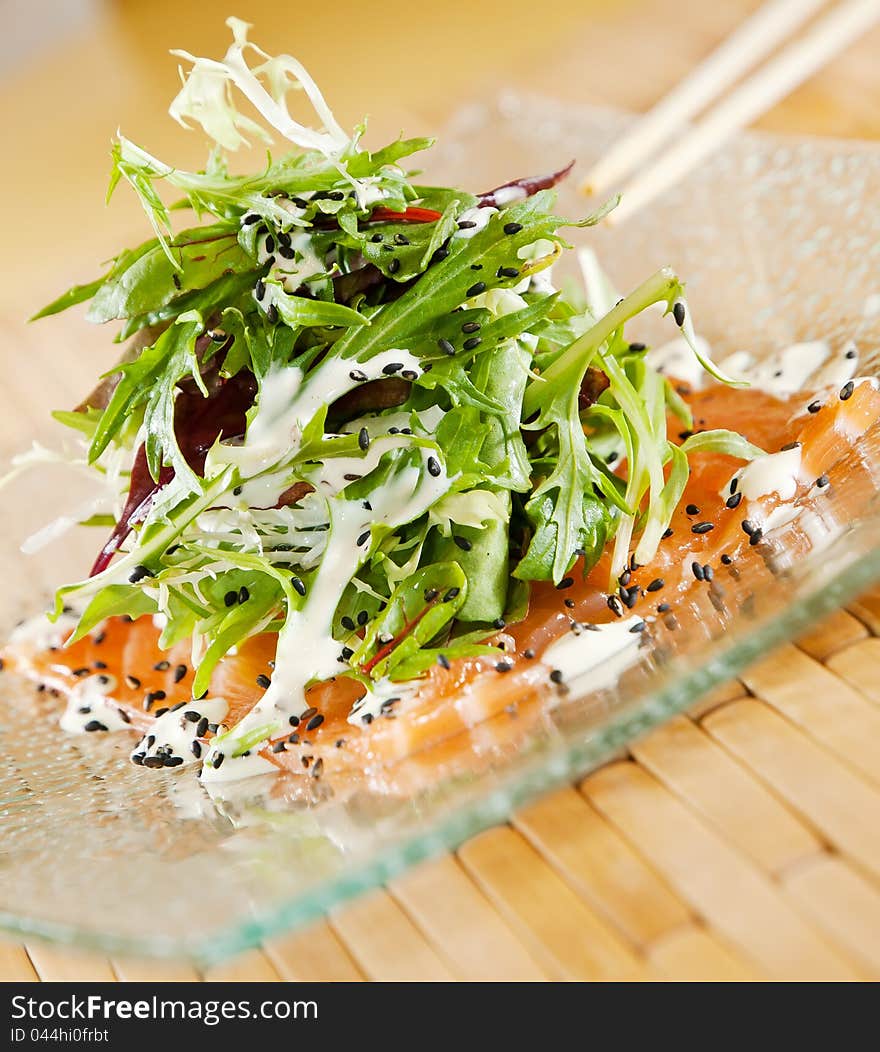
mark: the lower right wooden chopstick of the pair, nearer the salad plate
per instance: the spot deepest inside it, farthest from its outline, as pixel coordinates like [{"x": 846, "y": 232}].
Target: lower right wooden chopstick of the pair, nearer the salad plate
[{"x": 794, "y": 65}]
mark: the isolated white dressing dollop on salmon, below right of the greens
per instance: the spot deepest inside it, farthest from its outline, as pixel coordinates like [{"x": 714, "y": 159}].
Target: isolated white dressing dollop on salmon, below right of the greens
[{"x": 596, "y": 660}]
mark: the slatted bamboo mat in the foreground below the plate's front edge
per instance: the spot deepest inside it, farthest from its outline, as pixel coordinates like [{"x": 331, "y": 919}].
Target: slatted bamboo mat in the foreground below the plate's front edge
[{"x": 741, "y": 842}]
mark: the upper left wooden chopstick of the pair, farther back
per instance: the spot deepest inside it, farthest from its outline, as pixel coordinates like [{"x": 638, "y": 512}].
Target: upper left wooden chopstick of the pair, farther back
[{"x": 743, "y": 50}]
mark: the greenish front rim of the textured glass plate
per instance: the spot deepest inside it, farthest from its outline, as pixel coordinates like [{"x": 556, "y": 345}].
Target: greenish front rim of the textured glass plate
[{"x": 562, "y": 765}]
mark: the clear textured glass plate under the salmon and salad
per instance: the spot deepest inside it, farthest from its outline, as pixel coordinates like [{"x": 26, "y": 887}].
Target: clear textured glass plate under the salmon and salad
[{"x": 780, "y": 241}]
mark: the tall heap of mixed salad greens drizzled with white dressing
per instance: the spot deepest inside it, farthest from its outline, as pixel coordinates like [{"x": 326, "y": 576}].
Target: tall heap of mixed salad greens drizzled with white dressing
[{"x": 353, "y": 410}]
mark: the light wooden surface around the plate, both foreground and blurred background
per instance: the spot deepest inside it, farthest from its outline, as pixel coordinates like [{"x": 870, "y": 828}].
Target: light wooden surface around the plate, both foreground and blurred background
[{"x": 740, "y": 843}]
